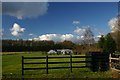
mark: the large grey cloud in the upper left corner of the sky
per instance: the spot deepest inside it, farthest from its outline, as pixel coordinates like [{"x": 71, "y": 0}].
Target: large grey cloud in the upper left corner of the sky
[{"x": 25, "y": 9}]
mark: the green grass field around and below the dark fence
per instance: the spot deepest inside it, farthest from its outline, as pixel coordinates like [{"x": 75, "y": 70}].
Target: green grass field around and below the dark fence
[{"x": 11, "y": 68}]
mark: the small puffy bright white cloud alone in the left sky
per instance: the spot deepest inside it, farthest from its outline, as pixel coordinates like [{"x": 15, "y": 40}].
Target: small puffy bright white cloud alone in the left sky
[{"x": 16, "y": 30}]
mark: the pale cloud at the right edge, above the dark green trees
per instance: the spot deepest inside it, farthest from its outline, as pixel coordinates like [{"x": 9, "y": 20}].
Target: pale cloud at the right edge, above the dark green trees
[{"x": 113, "y": 24}]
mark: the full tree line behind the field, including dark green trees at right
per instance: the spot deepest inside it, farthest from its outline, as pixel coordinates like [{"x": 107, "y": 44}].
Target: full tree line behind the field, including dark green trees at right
[{"x": 106, "y": 43}]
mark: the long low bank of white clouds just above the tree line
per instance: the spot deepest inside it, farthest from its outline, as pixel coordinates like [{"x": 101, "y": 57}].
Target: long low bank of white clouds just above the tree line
[{"x": 61, "y": 37}]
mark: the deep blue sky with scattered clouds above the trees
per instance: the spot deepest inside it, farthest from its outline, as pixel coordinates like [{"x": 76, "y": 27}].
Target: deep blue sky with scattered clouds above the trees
[{"x": 56, "y": 21}]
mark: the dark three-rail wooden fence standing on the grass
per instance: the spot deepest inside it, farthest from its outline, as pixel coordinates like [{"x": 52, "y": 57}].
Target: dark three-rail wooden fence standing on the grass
[{"x": 50, "y": 57}]
